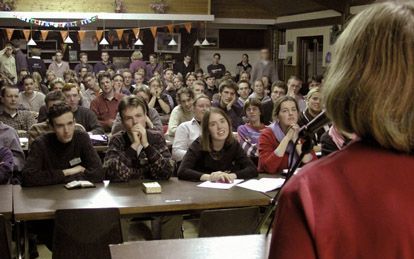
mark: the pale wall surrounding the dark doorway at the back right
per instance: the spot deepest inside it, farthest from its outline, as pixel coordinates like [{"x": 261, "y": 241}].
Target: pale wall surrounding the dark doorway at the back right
[{"x": 294, "y": 34}]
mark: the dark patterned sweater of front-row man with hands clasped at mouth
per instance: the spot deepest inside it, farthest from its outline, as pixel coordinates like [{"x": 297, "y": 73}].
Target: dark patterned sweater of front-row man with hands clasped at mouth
[{"x": 123, "y": 162}]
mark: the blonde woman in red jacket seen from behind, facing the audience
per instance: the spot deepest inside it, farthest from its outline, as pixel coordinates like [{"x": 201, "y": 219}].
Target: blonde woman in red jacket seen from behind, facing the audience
[{"x": 357, "y": 203}]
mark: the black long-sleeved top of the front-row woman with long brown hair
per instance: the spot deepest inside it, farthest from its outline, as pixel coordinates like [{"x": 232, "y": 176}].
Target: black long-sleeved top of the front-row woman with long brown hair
[{"x": 197, "y": 162}]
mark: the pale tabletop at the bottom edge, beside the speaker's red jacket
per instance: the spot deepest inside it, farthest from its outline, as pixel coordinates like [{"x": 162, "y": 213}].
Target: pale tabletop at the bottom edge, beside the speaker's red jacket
[{"x": 240, "y": 247}]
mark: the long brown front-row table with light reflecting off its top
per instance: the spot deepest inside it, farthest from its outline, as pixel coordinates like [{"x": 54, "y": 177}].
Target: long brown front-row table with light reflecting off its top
[{"x": 36, "y": 203}]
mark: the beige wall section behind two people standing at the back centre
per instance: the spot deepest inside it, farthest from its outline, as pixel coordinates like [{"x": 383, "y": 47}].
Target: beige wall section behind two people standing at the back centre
[{"x": 229, "y": 58}]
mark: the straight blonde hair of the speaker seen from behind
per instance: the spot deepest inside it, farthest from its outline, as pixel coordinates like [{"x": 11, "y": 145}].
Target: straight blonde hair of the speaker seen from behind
[{"x": 370, "y": 83}]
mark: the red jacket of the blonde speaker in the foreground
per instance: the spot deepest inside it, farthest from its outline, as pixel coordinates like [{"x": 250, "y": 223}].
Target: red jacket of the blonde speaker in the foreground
[{"x": 355, "y": 203}]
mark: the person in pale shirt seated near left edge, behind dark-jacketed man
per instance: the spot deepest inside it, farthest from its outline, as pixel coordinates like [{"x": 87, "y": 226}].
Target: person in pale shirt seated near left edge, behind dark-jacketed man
[{"x": 31, "y": 99}]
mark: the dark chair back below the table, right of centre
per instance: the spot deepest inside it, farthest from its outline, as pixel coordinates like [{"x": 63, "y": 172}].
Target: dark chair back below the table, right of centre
[{"x": 229, "y": 222}]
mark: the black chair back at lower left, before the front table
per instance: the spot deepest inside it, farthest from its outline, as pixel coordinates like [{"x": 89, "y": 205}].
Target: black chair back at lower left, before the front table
[{"x": 86, "y": 233}]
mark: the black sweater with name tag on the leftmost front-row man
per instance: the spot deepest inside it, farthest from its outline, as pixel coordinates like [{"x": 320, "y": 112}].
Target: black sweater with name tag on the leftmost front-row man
[{"x": 48, "y": 157}]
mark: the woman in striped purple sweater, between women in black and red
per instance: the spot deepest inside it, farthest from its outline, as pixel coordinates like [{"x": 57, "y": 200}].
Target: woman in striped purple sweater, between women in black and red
[{"x": 248, "y": 134}]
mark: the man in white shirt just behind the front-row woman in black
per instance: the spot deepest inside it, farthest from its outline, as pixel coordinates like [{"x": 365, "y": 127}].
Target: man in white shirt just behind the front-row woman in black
[{"x": 189, "y": 131}]
